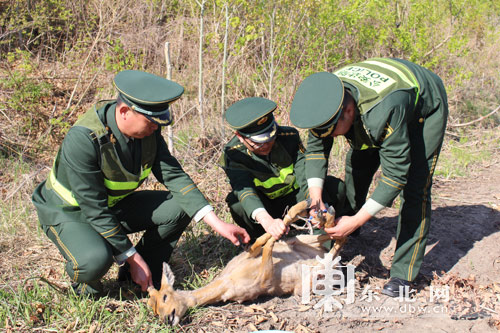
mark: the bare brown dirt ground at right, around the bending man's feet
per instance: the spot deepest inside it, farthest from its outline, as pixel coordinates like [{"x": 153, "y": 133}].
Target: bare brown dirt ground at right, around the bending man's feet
[{"x": 457, "y": 290}]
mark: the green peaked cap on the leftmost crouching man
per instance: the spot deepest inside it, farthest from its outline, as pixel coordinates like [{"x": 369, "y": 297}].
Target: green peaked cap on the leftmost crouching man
[{"x": 148, "y": 94}]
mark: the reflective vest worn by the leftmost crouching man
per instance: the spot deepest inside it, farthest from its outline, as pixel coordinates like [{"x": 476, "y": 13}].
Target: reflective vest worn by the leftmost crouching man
[{"x": 118, "y": 181}]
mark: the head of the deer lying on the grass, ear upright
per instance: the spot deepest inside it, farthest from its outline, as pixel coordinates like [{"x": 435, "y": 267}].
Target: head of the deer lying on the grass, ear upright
[{"x": 167, "y": 303}]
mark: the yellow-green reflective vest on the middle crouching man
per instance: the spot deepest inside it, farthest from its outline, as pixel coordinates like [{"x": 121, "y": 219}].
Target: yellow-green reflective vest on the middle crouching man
[{"x": 275, "y": 187}]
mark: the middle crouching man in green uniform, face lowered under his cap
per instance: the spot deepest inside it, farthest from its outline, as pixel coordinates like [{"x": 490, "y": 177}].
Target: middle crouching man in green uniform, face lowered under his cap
[{"x": 265, "y": 166}]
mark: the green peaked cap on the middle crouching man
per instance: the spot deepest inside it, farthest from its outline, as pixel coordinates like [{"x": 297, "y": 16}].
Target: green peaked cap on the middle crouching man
[{"x": 251, "y": 116}]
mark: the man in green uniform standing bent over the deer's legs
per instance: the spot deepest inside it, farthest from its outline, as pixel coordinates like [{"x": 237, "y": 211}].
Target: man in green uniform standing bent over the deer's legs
[{"x": 393, "y": 113}]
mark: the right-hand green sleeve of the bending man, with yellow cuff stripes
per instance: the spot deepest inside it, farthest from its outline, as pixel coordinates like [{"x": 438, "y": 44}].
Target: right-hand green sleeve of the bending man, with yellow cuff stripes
[{"x": 394, "y": 150}]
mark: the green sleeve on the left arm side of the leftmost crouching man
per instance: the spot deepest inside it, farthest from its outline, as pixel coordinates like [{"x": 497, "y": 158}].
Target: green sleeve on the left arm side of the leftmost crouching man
[{"x": 80, "y": 167}]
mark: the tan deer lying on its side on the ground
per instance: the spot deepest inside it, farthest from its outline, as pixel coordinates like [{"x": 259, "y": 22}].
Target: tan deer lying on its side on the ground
[{"x": 269, "y": 267}]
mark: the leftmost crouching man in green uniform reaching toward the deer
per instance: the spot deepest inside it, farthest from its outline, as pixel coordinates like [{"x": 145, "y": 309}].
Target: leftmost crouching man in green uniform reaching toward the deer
[{"x": 87, "y": 206}]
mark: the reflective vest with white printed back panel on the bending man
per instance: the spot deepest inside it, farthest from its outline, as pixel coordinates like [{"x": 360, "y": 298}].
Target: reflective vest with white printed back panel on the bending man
[{"x": 375, "y": 79}]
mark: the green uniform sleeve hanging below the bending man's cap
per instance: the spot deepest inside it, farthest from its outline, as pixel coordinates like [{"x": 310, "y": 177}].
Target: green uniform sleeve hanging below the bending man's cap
[{"x": 316, "y": 156}]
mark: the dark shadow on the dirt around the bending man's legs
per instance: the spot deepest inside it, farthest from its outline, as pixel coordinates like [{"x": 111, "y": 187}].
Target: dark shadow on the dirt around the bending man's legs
[{"x": 455, "y": 231}]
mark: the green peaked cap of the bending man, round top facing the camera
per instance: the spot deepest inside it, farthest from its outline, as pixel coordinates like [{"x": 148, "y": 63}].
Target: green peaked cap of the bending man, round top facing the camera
[{"x": 318, "y": 101}]
